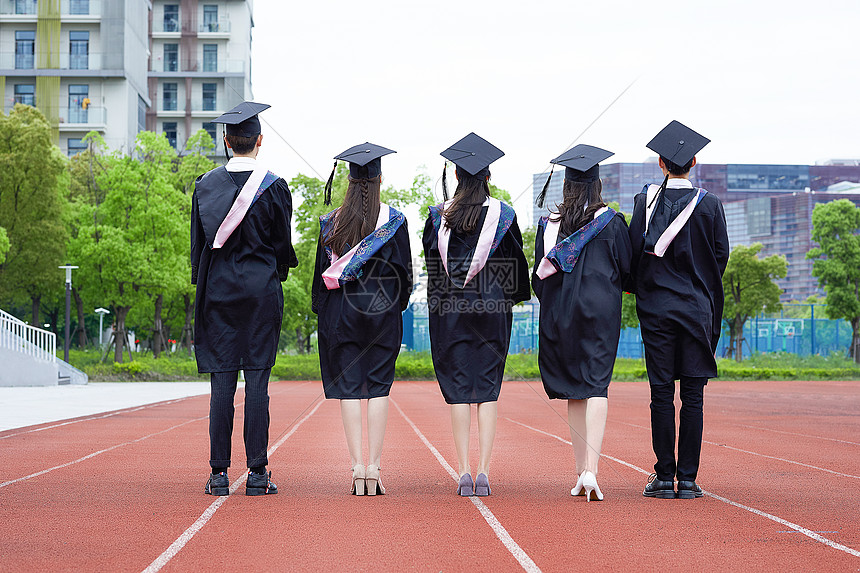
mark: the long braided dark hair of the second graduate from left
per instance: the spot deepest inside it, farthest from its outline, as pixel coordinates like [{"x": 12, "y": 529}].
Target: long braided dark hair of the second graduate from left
[{"x": 357, "y": 217}]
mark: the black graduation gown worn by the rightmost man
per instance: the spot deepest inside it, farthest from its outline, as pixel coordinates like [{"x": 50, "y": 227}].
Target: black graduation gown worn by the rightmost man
[{"x": 679, "y": 297}]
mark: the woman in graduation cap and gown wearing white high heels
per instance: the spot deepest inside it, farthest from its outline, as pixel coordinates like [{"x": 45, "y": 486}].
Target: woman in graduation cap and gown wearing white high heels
[{"x": 582, "y": 259}]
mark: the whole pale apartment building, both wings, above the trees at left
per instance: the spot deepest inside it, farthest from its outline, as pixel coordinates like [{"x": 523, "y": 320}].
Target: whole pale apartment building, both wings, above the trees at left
[{"x": 119, "y": 67}]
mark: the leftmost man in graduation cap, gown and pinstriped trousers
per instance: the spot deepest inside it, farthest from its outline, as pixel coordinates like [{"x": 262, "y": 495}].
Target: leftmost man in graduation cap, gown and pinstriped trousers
[{"x": 240, "y": 251}]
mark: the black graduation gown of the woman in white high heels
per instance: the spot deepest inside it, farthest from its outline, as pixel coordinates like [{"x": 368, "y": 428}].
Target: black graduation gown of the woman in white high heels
[{"x": 580, "y": 315}]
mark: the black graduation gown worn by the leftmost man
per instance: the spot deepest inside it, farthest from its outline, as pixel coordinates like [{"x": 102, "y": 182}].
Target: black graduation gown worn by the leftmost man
[{"x": 239, "y": 304}]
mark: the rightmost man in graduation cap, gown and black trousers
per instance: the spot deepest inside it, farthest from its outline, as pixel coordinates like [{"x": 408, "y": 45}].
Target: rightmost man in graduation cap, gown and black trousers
[{"x": 680, "y": 251}]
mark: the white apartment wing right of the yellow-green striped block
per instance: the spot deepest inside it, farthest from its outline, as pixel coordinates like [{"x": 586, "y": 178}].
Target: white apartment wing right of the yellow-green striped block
[{"x": 199, "y": 65}]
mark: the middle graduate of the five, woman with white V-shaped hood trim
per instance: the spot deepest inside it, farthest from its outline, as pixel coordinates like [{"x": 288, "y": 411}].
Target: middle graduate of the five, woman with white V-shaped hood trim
[{"x": 476, "y": 273}]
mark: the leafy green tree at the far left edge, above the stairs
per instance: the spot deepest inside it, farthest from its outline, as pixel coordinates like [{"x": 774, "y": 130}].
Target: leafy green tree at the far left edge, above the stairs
[{"x": 32, "y": 203}]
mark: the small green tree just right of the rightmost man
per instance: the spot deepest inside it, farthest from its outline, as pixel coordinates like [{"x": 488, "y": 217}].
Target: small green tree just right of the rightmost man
[{"x": 749, "y": 289}]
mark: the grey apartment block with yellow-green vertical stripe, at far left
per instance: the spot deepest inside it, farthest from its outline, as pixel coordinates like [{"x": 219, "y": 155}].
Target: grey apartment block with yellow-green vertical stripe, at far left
[{"x": 81, "y": 62}]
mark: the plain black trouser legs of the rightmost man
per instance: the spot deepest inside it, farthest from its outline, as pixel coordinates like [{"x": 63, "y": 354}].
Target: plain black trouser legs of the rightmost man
[{"x": 689, "y": 432}]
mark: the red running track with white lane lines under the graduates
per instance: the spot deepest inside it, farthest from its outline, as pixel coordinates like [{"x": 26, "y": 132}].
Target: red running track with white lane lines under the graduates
[{"x": 124, "y": 493}]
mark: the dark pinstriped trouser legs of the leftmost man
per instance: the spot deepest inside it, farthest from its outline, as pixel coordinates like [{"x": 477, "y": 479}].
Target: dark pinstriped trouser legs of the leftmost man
[{"x": 221, "y": 410}]
